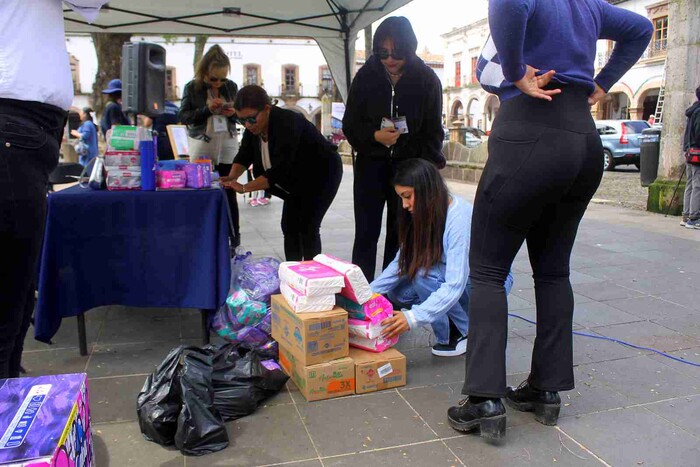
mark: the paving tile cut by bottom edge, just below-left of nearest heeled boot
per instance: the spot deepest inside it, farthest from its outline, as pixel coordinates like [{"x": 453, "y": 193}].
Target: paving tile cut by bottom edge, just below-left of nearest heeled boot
[{"x": 433, "y": 454}]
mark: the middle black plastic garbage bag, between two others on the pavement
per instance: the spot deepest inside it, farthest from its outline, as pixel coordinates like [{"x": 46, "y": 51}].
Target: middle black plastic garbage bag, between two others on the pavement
[{"x": 200, "y": 428}]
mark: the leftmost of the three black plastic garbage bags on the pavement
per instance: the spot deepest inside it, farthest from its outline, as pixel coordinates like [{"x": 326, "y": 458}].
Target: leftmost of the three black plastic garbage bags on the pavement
[{"x": 159, "y": 402}]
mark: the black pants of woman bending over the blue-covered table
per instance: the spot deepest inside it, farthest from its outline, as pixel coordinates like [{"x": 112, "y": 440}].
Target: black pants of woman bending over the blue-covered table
[{"x": 302, "y": 214}]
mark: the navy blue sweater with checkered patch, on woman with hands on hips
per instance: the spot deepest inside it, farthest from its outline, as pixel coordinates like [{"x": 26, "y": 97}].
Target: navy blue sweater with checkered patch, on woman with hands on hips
[{"x": 559, "y": 35}]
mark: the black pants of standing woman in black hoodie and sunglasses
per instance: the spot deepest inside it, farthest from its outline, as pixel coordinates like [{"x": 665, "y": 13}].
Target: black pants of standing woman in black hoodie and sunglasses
[{"x": 372, "y": 189}]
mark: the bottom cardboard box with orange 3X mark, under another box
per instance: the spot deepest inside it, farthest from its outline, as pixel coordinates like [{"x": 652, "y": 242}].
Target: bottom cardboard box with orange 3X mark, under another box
[{"x": 322, "y": 381}]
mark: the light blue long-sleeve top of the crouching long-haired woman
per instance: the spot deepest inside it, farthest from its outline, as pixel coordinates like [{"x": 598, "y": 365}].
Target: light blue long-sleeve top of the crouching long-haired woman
[{"x": 454, "y": 265}]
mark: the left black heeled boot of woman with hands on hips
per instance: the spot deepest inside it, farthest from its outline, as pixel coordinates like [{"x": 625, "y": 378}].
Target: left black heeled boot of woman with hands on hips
[{"x": 488, "y": 416}]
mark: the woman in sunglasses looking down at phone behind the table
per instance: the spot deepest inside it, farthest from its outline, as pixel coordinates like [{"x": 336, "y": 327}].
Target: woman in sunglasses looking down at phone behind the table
[{"x": 207, "y": 110}]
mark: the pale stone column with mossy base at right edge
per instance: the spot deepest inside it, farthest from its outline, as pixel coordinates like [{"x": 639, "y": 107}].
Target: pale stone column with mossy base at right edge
[{"x": 682, "y": 77}]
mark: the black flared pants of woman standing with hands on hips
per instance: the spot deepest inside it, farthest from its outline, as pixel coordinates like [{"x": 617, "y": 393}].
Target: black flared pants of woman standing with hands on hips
[{"x": 545, "y": 163}]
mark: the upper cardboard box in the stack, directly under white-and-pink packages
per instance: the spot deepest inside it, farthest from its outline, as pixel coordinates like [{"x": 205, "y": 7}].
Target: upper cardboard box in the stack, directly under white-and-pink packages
[{"x": 311, "y": 337}]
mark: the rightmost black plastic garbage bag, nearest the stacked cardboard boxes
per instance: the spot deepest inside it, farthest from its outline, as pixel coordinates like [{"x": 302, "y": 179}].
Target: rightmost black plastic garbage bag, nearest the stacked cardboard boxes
[{"x": 241, "y": 383}]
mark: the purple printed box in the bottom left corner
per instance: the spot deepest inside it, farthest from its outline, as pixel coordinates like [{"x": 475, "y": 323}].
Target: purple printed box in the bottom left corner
[{"x": 45, "y": 421}]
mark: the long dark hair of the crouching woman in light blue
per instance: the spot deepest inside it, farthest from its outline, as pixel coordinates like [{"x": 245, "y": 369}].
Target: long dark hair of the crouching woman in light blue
[{"x": 420, "y": 233}]
